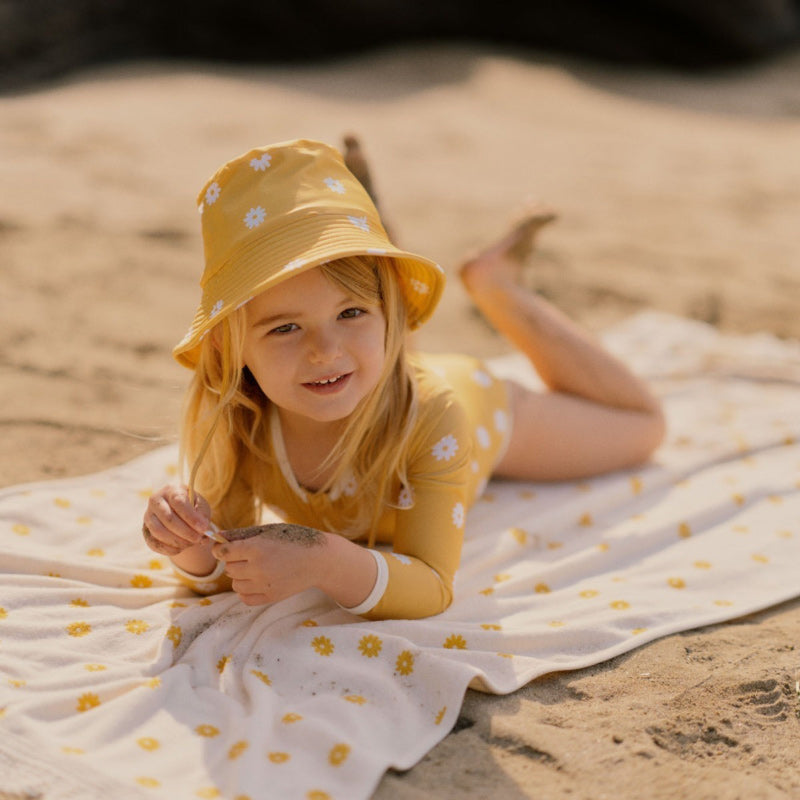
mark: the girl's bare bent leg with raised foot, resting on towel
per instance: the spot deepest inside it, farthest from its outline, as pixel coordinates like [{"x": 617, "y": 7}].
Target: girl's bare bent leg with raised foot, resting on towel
[{"x": 597, "y": 416}]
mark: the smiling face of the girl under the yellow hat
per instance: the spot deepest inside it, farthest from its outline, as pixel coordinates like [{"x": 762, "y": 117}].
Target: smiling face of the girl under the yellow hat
[{"x": 314, "y": 350}]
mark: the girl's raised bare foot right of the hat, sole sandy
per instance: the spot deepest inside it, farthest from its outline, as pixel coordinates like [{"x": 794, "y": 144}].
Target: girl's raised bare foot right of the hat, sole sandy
[{"x": 503, "y": 260}]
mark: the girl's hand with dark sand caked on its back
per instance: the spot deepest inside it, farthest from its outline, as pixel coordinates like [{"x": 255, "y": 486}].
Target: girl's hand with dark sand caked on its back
[{"x": 273, "y": 562}]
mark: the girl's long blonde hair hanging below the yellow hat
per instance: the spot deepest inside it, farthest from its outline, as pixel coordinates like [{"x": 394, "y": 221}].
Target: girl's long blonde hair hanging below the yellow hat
[{"x": 225, "y": 434}]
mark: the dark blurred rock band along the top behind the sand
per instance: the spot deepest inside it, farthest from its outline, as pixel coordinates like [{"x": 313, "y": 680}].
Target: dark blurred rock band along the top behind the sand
[{"x": 45, "y": 39}]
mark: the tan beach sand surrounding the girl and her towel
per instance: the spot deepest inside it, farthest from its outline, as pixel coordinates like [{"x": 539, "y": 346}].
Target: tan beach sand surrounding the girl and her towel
[{"x": 677, "y": 193}]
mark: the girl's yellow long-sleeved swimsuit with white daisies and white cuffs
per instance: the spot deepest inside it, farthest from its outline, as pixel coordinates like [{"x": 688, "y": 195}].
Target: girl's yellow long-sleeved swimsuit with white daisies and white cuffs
[{"x": 461, "y": 431}]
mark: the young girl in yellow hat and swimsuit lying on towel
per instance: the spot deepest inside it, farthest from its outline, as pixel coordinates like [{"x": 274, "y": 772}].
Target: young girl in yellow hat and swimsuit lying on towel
[{"x": 305, "y": 399}]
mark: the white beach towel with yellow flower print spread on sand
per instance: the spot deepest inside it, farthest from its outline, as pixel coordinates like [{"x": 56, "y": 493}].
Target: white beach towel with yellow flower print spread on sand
[{"x": 116, "y": 682}]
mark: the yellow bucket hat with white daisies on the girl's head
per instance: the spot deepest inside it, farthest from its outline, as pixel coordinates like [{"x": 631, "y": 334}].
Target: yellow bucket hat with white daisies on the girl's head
[{"x": 280, "y": 210}]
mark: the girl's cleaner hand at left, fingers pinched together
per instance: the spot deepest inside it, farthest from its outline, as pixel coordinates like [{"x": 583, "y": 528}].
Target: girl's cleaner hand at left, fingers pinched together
[{"x": 172, "y": 524}]
